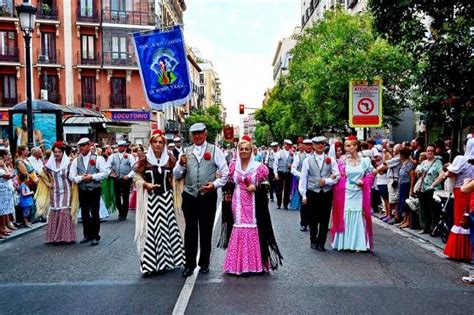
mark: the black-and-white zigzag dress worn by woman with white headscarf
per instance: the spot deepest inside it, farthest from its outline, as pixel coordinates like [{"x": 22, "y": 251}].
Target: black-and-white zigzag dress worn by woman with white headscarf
[{"x": 163, "y": 248}]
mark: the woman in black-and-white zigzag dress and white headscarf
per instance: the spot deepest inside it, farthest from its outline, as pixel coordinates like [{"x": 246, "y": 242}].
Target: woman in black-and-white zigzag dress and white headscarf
[{"x": 159, "y": 242}]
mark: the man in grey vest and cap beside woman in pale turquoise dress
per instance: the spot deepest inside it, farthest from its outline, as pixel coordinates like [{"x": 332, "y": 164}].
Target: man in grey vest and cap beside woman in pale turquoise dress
[{"x": 318, "y": 176}]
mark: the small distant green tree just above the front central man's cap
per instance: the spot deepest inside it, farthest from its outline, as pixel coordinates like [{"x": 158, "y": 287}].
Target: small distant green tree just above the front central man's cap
[{"x": 211, "y": 117}]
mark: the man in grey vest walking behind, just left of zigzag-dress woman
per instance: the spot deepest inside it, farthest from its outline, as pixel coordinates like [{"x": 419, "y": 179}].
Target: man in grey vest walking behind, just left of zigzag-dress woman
[{"x": 121, "y": 170}]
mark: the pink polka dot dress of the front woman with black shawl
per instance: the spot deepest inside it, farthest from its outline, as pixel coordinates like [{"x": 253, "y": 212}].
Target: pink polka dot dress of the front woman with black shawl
[{"x": 243, "y": 252}]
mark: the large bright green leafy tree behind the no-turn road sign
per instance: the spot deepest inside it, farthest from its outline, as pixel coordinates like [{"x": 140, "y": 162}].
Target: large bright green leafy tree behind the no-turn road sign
[{"x": 314, "y": 96}]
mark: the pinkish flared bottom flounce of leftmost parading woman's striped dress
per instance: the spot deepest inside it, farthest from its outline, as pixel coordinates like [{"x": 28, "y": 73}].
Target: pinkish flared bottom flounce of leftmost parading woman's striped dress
[{"x": 61, "y": 228}]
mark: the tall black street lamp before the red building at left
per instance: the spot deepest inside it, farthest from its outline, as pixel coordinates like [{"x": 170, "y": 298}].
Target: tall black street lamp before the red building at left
[{"x": 27, "y": 14}]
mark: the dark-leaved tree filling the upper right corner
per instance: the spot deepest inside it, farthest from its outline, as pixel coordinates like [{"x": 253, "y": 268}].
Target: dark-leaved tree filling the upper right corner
[{"x": 439, "y": 34}]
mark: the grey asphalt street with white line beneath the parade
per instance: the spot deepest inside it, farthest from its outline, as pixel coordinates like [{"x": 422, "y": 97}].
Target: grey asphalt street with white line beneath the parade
[{"x": 402, "y": 276}]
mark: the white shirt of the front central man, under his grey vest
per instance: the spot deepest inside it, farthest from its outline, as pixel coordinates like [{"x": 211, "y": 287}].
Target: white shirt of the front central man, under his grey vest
[{"x": 219, "y": 160}]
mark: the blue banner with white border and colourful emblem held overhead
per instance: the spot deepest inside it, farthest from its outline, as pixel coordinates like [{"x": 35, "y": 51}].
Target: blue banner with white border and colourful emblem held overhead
[{"x": 163, "y": 66}]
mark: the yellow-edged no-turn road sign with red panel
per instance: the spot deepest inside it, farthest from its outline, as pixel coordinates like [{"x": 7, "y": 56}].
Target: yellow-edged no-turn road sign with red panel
[{"x": 365, "y": 103}]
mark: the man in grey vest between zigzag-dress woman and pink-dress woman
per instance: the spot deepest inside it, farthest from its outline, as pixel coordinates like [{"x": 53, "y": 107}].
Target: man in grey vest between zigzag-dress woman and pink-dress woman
[{"x": 198, "y": 165}]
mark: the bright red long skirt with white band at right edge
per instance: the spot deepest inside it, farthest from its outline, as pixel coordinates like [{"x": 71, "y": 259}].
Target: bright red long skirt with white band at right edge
[{"x": 459, "y": 242}]
